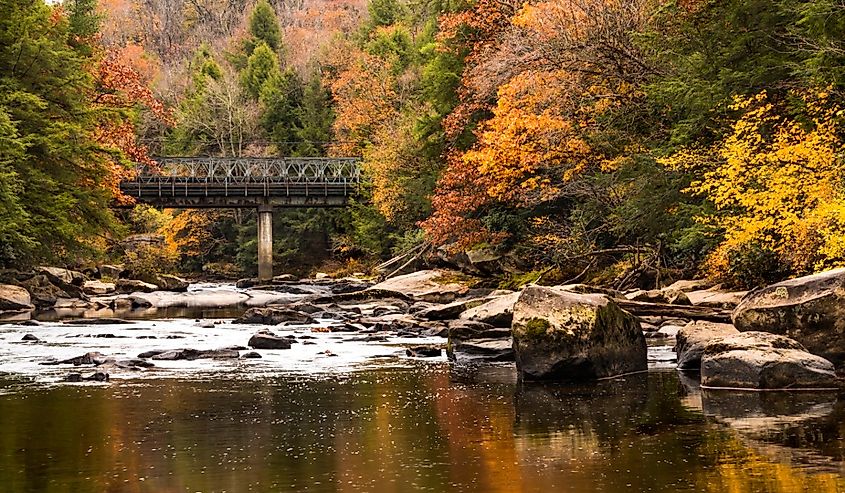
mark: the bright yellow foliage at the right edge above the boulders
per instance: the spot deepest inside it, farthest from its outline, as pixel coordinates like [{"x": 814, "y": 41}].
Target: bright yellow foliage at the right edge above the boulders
[{"x": 776, "y": 182}]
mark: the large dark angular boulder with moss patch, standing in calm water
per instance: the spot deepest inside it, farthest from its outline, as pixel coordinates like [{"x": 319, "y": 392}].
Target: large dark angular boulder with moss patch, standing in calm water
[{"x": 559, "y": 335}]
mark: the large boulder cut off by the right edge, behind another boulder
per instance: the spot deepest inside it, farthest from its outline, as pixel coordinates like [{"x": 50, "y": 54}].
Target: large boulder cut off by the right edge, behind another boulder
[{"x": 809, "y": 309}]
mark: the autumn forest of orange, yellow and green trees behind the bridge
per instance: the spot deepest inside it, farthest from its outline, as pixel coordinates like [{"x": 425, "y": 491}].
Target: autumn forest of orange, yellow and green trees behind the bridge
[{"x": 616, "y": 142}]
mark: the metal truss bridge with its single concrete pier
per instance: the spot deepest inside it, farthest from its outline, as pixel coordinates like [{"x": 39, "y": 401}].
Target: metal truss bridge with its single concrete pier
[{"x": 262, "y": 183}]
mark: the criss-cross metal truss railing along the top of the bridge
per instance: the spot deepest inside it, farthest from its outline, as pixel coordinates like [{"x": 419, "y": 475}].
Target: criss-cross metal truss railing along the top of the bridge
[{"x": 247, "y": 170}]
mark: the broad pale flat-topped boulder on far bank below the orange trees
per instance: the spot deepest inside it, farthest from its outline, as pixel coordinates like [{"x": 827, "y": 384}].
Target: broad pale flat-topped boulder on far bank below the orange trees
[{"x": 435, "y": 286}]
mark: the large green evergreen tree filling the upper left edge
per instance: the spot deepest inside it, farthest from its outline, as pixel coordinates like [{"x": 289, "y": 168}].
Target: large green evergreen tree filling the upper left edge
[{"x": 51, "y": 166}]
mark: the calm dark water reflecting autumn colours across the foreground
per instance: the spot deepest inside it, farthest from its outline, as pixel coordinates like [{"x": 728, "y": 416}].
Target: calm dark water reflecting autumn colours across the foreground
[{"x": 430, "y": 428}]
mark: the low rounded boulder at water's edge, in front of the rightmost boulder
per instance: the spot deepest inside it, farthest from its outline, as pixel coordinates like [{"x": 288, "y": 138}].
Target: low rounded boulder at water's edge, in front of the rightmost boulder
[{"x": 763, "y": 361}]
